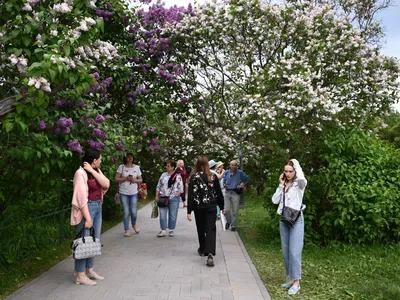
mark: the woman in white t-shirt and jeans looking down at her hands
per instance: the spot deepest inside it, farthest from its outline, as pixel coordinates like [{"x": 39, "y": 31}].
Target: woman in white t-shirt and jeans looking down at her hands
[{"x": 128, "y": 177}]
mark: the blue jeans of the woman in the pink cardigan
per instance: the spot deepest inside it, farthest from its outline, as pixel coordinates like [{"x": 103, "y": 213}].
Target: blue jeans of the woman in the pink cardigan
[{"x": 95, "y": 212}]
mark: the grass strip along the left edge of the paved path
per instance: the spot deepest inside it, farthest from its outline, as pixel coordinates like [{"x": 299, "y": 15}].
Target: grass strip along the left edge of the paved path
[{"x": 17, "y": 275}]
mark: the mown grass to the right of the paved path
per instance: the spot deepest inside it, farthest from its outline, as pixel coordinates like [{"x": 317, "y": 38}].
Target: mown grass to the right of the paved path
[{"x": 334, "y": 272}]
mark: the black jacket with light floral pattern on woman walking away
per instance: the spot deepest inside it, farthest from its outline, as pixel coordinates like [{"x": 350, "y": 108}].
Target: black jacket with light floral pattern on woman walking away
[{"x": 202, "y": 194}]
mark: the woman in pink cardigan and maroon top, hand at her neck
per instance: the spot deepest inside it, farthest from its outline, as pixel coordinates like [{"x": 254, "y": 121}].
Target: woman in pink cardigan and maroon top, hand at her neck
[{"x": 89, "y": 187}]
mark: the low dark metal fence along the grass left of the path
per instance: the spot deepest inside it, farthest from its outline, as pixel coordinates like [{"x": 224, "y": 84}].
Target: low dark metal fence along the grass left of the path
[{"x": 27, "y": 237}]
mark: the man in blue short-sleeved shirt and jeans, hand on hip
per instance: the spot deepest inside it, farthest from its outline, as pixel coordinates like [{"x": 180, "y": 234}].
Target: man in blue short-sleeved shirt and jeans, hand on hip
[{"x": 234, "y": 181}]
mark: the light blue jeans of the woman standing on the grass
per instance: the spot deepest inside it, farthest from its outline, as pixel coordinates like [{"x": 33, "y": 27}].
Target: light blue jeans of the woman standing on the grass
[{"x": 292, "y": 240}]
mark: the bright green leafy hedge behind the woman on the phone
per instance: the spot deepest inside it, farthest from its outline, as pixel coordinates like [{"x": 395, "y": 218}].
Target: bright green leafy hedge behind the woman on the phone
[{"x": 353, "y": 196}]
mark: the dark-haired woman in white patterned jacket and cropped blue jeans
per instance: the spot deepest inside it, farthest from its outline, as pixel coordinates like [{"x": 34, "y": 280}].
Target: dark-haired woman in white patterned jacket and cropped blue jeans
[{"x": 169, "y": 185}]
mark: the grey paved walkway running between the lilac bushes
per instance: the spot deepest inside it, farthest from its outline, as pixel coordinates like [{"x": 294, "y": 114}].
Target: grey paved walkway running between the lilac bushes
[{"x": 146, "y": 267}]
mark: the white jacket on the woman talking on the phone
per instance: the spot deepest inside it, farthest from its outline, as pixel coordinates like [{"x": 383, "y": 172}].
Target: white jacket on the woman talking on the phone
[{"x": 294, "y": 197}]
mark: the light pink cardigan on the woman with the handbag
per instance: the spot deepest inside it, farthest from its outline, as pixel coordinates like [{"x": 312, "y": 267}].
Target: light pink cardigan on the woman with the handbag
[{"x": 80, "y": 195}]
